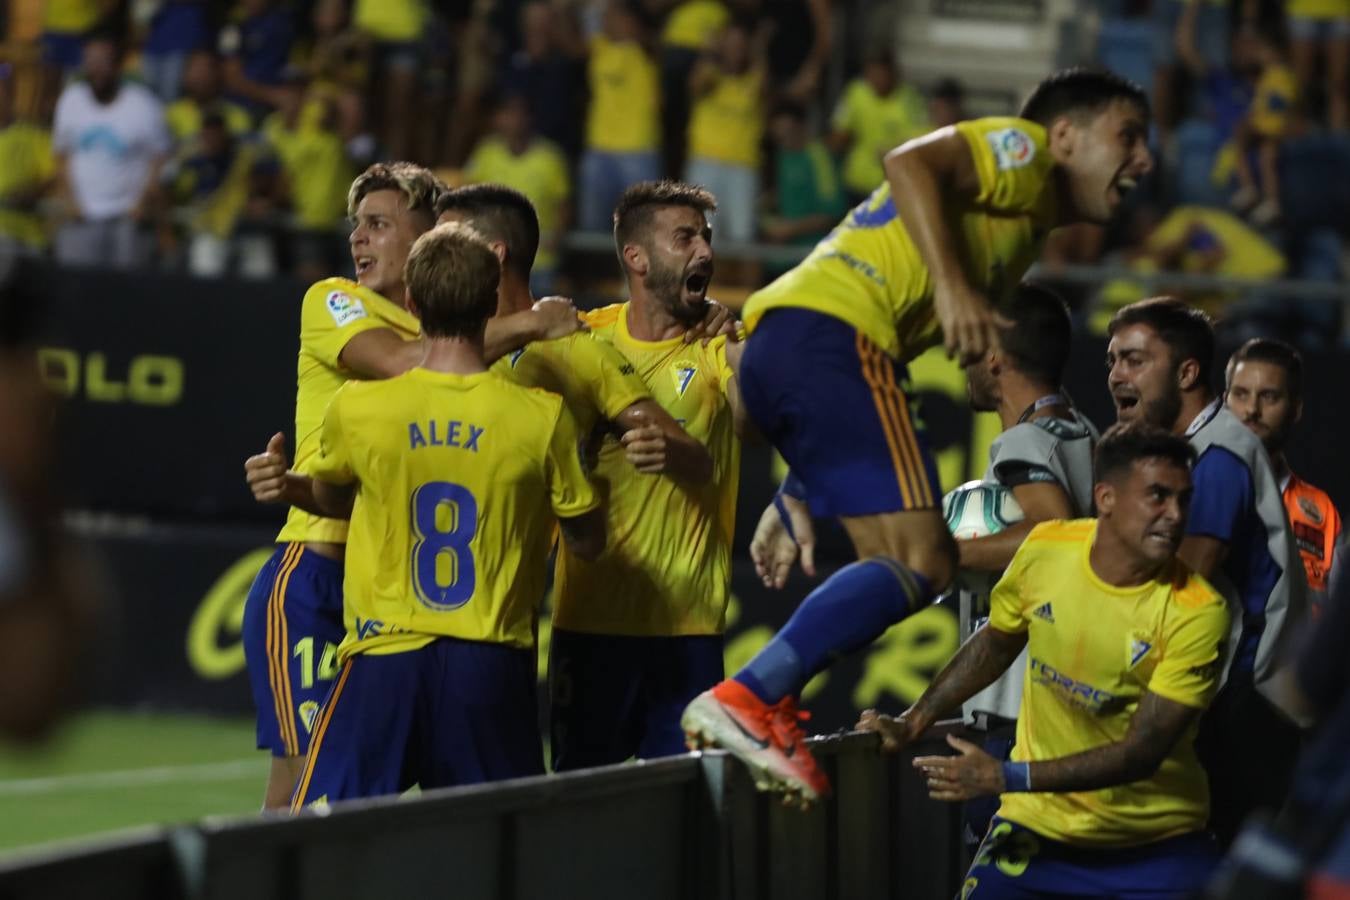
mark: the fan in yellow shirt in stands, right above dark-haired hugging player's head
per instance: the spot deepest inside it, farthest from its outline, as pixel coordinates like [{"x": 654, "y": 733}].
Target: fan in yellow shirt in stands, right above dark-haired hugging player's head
[{"x": 515, "y": 157}]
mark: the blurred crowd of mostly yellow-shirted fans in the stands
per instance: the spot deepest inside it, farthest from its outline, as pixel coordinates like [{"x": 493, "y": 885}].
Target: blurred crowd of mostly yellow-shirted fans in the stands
[{"x": 215, "y": 137}]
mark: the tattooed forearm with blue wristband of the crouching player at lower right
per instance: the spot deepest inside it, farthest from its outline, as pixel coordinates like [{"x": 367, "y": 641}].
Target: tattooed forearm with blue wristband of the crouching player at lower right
[{"x": 1155, "y": 729}]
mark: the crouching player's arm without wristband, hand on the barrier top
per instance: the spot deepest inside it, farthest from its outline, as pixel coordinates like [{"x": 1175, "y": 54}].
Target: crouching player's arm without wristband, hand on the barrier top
[{"x": 979, "y": 662}]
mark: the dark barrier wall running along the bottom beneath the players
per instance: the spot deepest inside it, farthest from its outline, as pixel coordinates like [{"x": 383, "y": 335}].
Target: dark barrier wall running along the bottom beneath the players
[{"x": 685, "y": 828}]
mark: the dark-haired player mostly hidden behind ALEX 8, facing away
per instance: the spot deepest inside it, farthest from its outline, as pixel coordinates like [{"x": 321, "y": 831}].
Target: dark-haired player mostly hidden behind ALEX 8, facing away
[{"x": 601, "y": 389}]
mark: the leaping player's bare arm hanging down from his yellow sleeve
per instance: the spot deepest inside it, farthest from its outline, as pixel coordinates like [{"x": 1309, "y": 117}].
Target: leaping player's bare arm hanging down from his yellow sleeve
[{"x": 920, "y": 175}]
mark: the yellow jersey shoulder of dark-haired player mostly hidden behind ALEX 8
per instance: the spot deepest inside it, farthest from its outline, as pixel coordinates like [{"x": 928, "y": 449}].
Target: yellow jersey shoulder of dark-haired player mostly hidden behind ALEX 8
[{"x": 595, "y": 381}]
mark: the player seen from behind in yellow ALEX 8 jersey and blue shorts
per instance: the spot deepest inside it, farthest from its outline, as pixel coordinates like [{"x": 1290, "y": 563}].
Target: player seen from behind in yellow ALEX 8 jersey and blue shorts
[{"x": 453, "y": 477}]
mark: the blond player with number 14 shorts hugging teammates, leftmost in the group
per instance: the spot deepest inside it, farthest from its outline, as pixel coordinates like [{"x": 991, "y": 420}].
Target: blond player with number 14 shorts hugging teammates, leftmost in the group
[{"x": 348, "y": 330}]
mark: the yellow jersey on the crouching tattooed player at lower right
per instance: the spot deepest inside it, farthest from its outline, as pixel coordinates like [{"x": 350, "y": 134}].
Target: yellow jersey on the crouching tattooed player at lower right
[{"x": 1093, "y": 651}]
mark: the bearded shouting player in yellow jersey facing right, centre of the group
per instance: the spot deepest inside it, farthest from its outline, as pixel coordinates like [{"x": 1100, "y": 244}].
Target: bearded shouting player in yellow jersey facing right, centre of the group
[{"x": 638, "y": 634}]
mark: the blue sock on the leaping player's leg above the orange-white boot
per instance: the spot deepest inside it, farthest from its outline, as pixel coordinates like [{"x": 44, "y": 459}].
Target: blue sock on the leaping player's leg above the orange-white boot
[{"x": 851, "y": 611}]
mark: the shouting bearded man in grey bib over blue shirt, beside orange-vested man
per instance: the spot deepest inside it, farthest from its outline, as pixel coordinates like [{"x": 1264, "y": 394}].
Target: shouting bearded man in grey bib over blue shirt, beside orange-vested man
[{"x": 1239, "y": 538}]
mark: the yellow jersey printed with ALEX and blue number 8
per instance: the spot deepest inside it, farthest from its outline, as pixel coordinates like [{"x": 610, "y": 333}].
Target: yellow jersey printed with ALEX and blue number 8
[{"x": 460, "y": 478}]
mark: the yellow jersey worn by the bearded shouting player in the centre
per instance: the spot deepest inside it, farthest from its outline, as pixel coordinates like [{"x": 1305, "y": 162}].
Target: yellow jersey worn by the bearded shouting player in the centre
[{"x": 668, "y": 567}]
